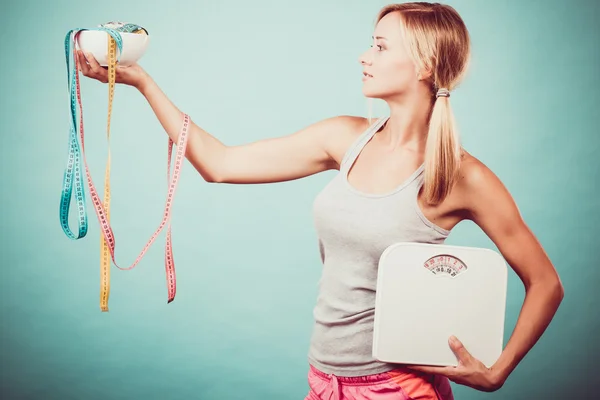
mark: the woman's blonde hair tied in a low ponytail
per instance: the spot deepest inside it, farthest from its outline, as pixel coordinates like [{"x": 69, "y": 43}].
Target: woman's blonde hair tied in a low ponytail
[{"x": 438, "y": 42}]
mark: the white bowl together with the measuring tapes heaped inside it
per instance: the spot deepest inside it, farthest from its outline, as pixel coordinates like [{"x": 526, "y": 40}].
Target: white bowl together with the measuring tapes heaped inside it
[{"x": 134, "y": 42}]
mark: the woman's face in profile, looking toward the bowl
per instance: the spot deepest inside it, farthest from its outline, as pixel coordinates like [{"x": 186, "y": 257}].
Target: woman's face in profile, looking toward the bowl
[{"x": 389, "y": 68}]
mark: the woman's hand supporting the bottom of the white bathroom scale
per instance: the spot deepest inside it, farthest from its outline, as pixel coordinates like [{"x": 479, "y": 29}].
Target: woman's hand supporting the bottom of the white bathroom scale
[{"x": 469, "y": 372}]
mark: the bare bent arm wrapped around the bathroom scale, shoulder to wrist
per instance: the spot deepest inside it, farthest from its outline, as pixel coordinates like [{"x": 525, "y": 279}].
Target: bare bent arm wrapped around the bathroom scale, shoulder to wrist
[{"x": 491, "y": 207}]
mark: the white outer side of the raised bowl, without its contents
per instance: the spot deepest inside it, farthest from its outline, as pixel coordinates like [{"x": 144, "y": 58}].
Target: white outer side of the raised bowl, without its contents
[{"x": 96, "y": 42}]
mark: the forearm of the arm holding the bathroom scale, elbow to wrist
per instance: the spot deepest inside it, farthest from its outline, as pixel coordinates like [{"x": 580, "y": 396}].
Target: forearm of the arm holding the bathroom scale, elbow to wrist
[{"x": 540, "y": 305}]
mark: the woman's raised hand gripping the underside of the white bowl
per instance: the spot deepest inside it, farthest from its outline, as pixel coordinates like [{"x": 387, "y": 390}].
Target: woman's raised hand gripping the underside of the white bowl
[{"x": 132, "y": 75}]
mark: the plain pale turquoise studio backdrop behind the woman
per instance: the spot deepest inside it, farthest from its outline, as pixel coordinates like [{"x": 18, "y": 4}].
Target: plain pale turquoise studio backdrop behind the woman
[{"x": 246, "y": 257}]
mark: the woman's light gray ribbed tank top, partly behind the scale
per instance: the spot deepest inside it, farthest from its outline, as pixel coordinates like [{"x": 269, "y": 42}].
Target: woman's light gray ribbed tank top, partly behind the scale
[{"x": 354, "y": 229}]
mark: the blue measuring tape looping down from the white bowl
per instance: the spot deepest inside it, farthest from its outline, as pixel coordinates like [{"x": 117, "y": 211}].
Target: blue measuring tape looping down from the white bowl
[{"x": 73, "y": 171}]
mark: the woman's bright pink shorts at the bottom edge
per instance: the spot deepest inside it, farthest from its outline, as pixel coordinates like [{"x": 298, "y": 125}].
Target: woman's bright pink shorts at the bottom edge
[{"x": 399, "y": 384}]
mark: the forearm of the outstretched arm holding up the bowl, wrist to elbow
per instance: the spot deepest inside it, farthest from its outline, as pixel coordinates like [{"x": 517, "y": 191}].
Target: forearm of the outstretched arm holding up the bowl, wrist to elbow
[{"x": 204, "y": 151}]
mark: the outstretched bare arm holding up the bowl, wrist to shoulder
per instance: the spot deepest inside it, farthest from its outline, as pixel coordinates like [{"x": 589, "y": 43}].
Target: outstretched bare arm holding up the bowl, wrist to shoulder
[{"x": 303, "y": 153}]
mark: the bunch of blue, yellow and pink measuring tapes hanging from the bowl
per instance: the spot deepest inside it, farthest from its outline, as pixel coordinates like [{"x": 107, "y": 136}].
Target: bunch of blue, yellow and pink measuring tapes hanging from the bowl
[{"x": 102, "y": 208}]
